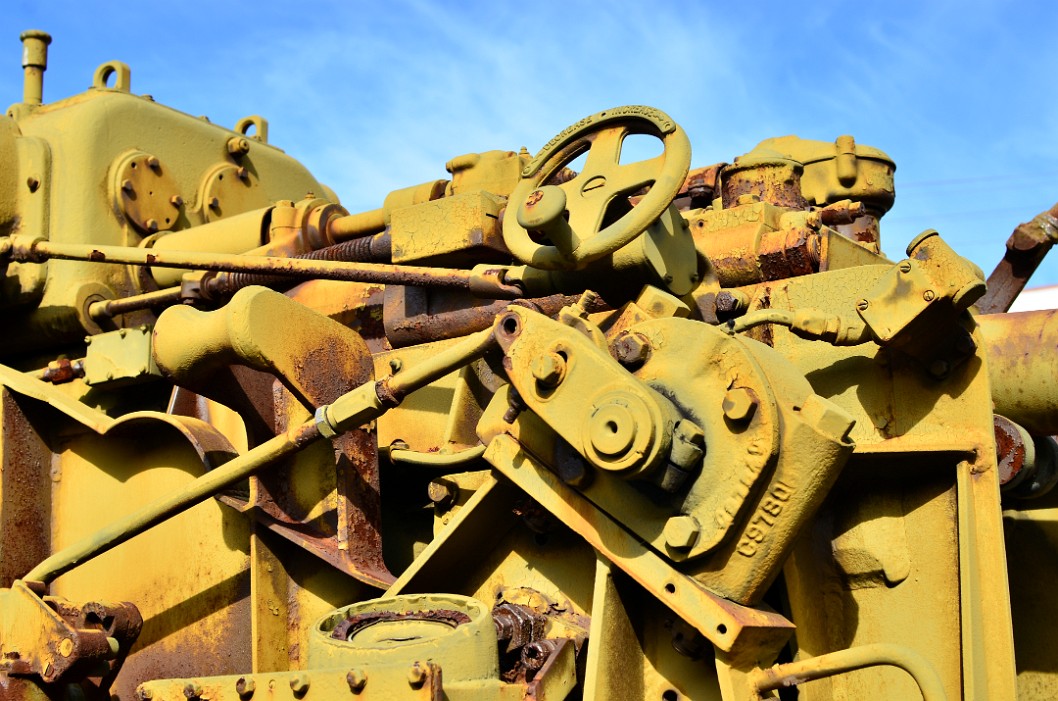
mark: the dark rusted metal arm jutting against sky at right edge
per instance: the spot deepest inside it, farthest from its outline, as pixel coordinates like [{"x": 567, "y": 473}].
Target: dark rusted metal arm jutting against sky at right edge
[{"x": 1026, "y": 251}]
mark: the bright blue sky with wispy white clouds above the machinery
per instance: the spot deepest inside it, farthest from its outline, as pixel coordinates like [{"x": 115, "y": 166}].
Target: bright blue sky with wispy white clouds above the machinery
[{"x": 373, "y": 97}]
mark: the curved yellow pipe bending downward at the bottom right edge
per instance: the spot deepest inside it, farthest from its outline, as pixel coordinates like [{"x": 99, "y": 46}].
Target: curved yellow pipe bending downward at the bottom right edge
[{"x": 858, "y": 658}]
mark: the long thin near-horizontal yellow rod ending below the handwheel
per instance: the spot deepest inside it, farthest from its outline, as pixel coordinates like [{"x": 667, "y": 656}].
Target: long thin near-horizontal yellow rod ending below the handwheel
[{"x": 41, "y": 250}]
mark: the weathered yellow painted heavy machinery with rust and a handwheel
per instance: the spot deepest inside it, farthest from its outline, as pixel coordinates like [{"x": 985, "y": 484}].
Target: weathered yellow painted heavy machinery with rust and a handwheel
[{"x": 634, "y": 431}]
